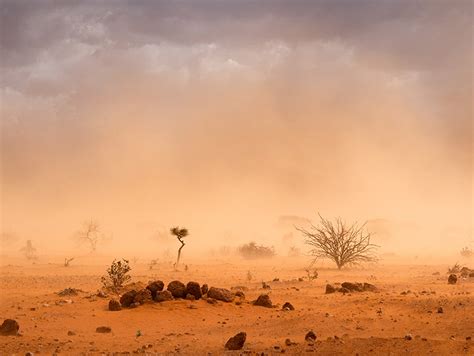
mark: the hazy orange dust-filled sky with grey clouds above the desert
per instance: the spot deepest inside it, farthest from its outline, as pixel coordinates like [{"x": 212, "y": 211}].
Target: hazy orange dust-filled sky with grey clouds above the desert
[{"x": 223, "y": 116}]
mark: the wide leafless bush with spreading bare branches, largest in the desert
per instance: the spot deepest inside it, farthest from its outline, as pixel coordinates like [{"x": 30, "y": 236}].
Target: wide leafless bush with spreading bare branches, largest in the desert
[{"x": 343, "y": 244}]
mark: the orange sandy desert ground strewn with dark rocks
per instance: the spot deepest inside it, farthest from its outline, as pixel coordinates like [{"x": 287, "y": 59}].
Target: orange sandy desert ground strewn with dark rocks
[{"x": 358, "y": 323}]
